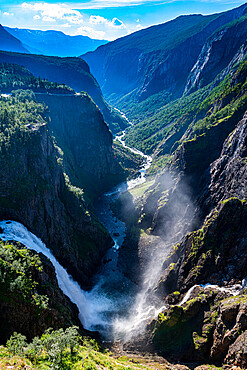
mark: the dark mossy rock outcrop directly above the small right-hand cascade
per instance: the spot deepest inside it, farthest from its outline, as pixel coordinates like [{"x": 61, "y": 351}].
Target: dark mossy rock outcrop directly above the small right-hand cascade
[{"x": 214, "y": 254}]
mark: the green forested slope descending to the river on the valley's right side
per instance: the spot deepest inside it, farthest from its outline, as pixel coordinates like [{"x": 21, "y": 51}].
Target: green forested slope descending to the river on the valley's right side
[{"x": 187, "y": 119}]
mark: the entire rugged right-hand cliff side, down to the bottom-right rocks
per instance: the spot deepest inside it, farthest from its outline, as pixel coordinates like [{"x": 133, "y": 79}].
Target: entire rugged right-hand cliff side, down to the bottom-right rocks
[{"x": 204, "y": 189}]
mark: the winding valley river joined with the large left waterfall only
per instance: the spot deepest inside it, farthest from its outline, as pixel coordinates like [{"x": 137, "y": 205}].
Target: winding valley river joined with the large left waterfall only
[{"x": 112, "y": 294}]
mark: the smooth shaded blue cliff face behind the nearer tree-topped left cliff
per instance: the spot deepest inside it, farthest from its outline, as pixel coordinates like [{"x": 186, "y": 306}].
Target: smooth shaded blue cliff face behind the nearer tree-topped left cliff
[{"x": 86, "y": 142}]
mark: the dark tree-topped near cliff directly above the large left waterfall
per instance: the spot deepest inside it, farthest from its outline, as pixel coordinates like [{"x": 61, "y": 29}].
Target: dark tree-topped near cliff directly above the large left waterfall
[{"x": 33, "y": 191}]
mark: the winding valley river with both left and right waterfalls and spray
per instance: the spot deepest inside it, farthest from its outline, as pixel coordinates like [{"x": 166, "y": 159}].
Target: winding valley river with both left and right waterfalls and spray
[{"x": 115, "y": 307}]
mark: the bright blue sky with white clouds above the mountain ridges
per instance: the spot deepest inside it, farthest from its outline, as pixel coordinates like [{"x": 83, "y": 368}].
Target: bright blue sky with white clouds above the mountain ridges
[{"x": 102, "y": 19}]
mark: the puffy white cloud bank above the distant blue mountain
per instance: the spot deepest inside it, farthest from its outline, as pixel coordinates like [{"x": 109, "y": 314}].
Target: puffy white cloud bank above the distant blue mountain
[{"x": 67, "y": 18}]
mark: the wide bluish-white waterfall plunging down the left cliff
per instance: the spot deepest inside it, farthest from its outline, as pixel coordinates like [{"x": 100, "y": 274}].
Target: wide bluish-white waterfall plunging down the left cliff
[{"x": 90, "y": 309}]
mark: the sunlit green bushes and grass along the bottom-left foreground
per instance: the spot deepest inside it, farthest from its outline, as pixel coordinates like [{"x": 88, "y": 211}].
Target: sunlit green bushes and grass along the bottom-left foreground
[{"x": 67, "y": 349}]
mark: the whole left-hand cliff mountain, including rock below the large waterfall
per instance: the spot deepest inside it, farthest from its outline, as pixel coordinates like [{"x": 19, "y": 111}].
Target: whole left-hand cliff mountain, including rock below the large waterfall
[{"x": 56, "y": 157}]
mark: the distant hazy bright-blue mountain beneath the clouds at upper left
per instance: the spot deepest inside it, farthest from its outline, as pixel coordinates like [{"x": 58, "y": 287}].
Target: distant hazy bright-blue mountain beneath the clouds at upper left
[{"x": 53, "y": 42}]
